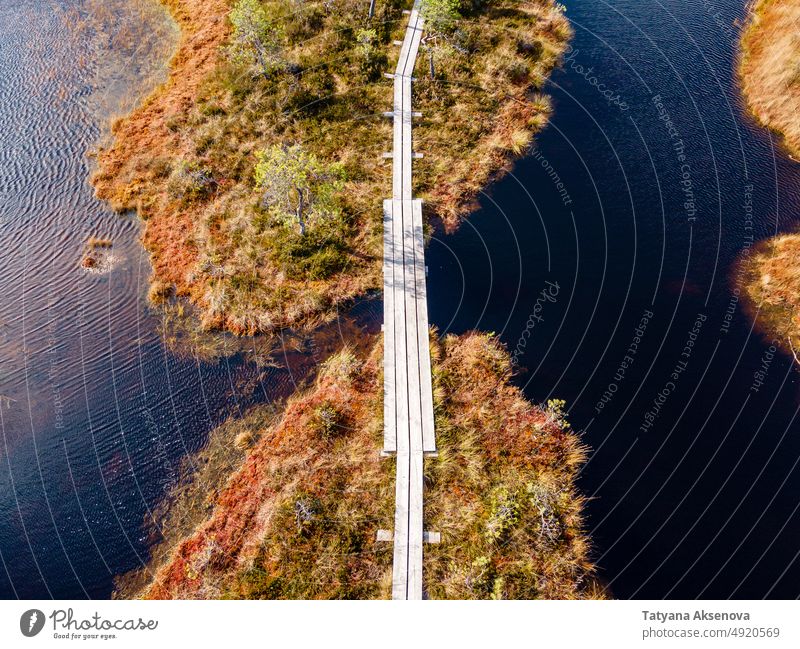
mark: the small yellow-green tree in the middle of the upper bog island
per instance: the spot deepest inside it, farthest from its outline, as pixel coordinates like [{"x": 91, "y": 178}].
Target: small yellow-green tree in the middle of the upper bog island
[{"x": 296, "y": 186}]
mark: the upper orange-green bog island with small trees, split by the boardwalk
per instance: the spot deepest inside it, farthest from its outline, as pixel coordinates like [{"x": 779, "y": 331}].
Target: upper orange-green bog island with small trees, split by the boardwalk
[{"x": 257, "y": 167}]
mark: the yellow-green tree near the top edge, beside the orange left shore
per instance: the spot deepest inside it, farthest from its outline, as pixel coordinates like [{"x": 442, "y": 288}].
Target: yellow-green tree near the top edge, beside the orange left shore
[{"x": 254, "y": 39}]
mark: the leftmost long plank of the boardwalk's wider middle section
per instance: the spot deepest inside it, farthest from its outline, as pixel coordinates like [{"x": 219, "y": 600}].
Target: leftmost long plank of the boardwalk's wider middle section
[{"x": 389, "y": 390}]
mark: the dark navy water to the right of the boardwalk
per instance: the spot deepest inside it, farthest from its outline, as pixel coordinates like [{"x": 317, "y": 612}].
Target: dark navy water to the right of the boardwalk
[{"x": 703, "y": 502}]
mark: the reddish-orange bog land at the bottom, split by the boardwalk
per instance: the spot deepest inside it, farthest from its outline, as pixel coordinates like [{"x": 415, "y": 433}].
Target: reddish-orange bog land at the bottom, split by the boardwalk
[{"x": 299, "y": 518}]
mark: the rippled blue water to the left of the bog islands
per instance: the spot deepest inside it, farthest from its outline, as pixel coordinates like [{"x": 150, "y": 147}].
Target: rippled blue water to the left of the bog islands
[{"x": 96, "y": 413}]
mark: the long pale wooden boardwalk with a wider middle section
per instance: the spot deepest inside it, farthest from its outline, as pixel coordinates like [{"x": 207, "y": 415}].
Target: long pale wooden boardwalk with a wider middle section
[{"x": 408, "y": 398}]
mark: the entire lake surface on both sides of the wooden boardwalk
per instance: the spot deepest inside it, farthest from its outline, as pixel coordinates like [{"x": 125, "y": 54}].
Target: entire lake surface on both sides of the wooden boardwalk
[{"x": 691, "y": 417}]
